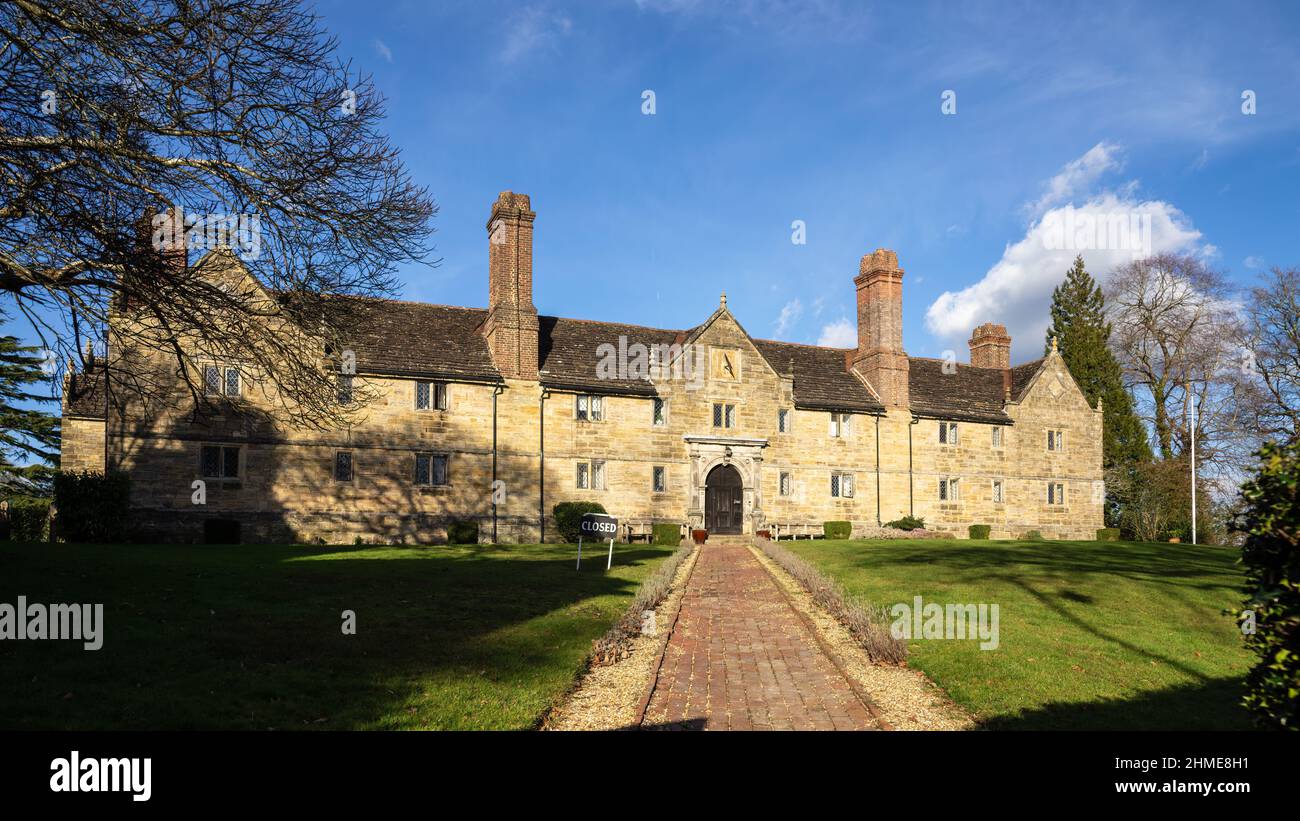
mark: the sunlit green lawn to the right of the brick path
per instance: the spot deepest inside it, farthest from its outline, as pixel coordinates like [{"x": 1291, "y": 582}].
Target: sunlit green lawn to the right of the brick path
[{"x": 1094, "y": 636}]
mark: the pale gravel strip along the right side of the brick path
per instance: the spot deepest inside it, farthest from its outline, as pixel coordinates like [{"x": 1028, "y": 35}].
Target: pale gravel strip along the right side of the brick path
[{"x": 905, "y": 698}]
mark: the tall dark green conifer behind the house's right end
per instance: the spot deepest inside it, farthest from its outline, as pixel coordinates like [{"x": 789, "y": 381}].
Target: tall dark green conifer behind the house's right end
[{"x": 1082, "y": 333}]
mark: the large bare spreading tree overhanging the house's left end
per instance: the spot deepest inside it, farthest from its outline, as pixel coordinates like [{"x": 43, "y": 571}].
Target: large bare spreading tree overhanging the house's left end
[{"x": 235, "y": 114}]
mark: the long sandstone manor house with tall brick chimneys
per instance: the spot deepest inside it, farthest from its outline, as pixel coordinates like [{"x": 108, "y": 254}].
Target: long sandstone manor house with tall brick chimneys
[{"x": 497, "y": 414}]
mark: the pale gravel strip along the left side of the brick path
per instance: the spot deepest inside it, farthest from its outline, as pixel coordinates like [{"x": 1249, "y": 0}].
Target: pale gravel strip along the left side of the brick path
[{"x": 613, "y": 697}]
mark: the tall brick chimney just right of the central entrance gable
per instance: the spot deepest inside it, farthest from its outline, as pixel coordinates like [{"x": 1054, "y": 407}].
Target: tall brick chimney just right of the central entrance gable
[{"x": 881, "y": 358}]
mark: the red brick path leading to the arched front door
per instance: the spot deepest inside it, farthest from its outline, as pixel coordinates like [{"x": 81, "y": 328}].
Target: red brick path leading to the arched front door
[{"x": 742, "y": 659}]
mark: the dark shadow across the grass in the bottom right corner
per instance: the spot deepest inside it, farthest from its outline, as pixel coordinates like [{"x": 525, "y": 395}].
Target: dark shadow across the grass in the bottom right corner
[{"x": 1212, "y": 705}]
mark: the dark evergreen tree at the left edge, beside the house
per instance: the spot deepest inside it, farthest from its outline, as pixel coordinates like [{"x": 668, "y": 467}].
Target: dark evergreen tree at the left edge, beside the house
[{"x": 27, "y": 435}]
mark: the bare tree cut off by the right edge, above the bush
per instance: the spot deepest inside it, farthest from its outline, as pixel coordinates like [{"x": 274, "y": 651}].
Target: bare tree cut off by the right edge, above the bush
[{"x": 1271, "y": 357}]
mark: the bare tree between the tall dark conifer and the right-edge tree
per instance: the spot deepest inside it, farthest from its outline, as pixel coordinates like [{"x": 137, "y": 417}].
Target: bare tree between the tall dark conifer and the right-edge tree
[{"x": 1176, "y": 328}]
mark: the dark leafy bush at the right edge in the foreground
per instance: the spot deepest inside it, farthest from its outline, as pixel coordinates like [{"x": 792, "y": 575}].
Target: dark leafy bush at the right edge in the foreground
[{"x": 1272, "y": 559}]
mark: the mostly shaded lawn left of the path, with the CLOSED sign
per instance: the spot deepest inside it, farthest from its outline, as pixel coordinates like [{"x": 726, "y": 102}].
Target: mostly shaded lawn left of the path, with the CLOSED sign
[{"x": 250, "y": 637}]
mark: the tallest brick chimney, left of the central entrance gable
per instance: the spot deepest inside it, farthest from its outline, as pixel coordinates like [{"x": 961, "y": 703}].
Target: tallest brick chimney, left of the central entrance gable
[{"x": 512, "y": 327}]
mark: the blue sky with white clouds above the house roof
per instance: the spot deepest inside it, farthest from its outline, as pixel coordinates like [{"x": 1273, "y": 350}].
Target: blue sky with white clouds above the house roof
[{"x": 770, "y": 112}]
